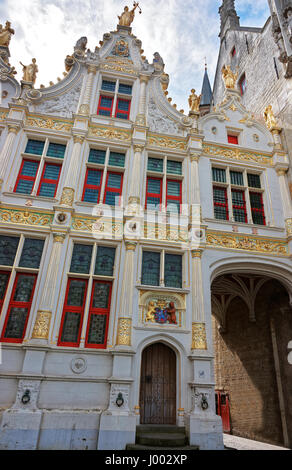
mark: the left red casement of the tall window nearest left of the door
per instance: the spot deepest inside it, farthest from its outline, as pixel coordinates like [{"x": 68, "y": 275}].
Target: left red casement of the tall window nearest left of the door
[{"x": 73, "y": 312}]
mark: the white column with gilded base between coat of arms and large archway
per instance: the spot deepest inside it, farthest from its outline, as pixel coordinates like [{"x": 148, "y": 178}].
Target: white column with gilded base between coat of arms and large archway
[{"x": 199, "y": 339}]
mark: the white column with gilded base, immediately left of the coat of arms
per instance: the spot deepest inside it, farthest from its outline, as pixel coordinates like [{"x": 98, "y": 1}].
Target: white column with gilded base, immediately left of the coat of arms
[{"x": 126, "y": 301}]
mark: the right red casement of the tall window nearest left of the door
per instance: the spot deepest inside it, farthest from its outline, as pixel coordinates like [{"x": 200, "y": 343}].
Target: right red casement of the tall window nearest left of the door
[{"x": 98, "y": 321}]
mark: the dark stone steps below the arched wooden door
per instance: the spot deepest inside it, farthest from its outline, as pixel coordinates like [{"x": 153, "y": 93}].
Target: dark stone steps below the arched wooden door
[{"x": 159, "y": 439}]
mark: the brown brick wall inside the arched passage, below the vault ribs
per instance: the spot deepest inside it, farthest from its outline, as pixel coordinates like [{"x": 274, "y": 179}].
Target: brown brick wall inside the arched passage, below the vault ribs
[{"x": 245, "y": 366}]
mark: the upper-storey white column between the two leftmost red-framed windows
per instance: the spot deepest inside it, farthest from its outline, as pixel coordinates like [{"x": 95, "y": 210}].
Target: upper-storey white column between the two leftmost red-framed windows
[{"x": 67, "y": 197}]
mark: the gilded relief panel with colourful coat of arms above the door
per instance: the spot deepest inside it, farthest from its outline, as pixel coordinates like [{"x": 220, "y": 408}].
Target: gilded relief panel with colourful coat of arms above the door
[{"x": 162, "y": 309}]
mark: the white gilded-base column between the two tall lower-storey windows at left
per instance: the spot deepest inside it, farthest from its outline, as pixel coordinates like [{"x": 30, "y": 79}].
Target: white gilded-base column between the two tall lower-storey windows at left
[{"x": 44, "y": 315}]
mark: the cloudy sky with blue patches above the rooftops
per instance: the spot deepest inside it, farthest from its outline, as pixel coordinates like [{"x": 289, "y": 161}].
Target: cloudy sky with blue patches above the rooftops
[{"x": 182, "y": 31}]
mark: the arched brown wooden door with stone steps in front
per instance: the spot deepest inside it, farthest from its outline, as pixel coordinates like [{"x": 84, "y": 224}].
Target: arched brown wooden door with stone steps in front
[{"x": 158, "y": 385}]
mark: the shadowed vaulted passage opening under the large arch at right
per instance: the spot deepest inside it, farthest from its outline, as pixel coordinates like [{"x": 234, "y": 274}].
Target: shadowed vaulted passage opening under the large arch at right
[{"x": 252, "y": 326}]
